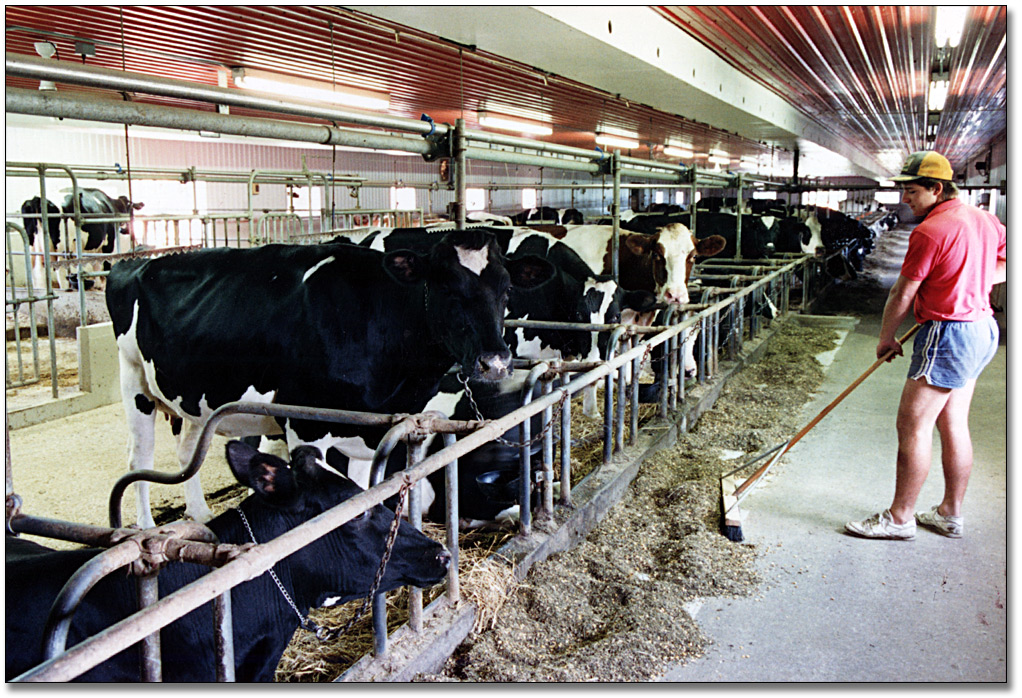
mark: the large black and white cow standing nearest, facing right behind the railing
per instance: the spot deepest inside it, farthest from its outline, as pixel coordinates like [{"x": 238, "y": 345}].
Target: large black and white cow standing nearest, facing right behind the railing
[{"x": 332, "y": 327}]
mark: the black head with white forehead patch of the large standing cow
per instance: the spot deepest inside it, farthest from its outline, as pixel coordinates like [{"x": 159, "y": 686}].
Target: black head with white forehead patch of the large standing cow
[{"x": 467, "y": 293}]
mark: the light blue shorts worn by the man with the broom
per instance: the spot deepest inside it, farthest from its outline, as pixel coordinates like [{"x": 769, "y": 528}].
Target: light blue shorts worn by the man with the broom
[{"x": 949, "y": 354}]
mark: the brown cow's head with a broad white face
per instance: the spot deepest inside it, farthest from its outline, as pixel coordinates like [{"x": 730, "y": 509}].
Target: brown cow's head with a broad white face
[{"x": 667, "y": 258}]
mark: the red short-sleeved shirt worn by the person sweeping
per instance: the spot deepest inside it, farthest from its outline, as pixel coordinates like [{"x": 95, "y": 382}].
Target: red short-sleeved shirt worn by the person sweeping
[{"x": 954, "y": 252}]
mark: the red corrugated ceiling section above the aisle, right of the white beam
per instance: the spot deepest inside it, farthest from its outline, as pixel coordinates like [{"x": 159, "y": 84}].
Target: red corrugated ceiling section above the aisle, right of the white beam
[{"x": 866, "y": 70}]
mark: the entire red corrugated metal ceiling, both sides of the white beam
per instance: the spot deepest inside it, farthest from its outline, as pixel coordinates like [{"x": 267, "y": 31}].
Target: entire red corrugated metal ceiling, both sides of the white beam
[{"x": 863, "y": 73}]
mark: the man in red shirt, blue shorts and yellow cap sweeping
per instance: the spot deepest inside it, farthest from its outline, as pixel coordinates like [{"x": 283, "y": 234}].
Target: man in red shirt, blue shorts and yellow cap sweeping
[{"x": 955, "y": 257}]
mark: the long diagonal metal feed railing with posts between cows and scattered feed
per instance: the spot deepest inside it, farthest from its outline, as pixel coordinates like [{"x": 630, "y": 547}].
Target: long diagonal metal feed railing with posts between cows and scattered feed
[{"x": 573, "y": 379}]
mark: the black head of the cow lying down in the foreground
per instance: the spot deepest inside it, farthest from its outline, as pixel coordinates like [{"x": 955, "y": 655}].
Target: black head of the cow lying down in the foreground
[{"x": 341, "y": 566}]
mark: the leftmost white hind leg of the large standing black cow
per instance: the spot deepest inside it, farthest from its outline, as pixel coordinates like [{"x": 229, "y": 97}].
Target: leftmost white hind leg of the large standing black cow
[{"x": 141, "y": 412}]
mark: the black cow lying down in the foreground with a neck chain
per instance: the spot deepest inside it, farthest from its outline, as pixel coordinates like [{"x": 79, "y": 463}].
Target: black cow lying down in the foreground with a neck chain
[{"x": 338, "y": 568}]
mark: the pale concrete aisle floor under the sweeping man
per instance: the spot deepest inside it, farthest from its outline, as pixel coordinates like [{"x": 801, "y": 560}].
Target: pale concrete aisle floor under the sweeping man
[{"x": 839, "y": 609}]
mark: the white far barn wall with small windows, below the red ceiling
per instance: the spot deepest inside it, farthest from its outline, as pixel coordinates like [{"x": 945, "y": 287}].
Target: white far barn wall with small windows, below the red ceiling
[{"x": 77, "y": 146}]
